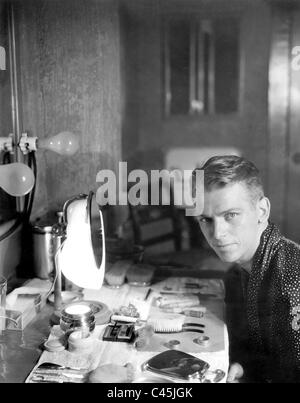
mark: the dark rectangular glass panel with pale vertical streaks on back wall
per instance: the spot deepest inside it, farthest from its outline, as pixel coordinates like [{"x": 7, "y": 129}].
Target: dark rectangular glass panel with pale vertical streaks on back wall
[{"x": 201, "y": 65}]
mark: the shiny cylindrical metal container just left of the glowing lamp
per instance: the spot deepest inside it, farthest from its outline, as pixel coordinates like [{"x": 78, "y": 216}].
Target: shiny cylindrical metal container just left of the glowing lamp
[{"x": 43, "y": 259}]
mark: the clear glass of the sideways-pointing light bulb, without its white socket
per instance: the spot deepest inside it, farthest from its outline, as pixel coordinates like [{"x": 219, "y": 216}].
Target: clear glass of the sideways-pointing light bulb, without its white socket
[{"x": 64, "y": 143}]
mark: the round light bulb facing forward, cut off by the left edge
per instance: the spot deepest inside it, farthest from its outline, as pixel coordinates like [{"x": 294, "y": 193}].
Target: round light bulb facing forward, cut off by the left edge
[{"x": 16, "y": 179}]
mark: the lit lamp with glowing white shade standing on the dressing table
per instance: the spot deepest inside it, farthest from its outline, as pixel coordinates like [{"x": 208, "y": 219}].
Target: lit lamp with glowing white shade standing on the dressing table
[{"x": 80, "y": 257}]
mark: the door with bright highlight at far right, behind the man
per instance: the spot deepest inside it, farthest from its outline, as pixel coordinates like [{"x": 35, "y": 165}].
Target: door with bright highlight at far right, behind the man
[{"x": 284, "y": 120}]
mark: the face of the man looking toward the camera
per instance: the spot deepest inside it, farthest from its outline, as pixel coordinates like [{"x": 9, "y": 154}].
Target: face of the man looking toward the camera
[{"x": 230, "y": 223}]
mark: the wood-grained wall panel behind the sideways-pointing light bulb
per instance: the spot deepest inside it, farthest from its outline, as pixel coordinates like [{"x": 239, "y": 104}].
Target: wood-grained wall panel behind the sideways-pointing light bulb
[{"x": 69, "y": 66}]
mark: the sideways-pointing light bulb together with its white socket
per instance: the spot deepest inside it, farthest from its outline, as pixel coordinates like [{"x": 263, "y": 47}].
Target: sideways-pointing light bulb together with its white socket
[{"x": 63, "y": 143}]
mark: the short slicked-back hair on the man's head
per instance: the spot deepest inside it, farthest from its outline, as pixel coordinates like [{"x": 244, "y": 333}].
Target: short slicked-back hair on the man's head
[{"x": 223, "y": 170}]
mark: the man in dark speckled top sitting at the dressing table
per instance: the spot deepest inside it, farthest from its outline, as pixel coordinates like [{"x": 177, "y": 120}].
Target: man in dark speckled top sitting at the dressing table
[{"x": 263, "y": 286}]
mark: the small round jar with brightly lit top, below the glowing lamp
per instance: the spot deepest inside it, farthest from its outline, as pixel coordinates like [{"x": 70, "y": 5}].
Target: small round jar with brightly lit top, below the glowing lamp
[{"x": 77, "y": 316}]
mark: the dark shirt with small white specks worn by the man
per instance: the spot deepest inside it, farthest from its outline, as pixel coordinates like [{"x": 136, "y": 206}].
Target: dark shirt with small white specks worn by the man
[{"x": 263, "y": 311}]
